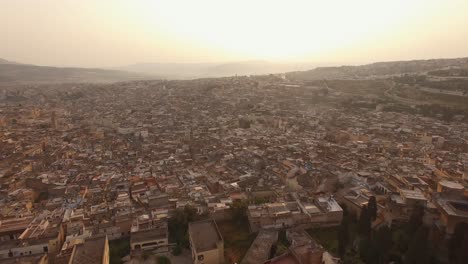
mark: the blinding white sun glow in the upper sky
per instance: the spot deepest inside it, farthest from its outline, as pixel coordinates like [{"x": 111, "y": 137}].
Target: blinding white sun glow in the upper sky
[{"x": 280, "y": 30}]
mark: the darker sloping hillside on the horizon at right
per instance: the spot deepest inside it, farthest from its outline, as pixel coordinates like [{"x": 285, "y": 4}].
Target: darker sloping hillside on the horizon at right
[{"x": 378, "y": 69}]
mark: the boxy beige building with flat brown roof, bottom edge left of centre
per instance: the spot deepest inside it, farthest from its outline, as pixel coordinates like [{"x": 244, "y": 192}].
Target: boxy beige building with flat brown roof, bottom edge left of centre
[{"x": 206, "y": 242}]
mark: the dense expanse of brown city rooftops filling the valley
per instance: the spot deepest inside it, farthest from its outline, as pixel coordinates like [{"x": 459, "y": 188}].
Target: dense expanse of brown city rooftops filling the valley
[{"x": 87, "y": 164}]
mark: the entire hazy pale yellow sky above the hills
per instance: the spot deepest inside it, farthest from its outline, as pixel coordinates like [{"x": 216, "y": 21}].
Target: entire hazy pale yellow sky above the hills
[{"x": 99, "y": 33}]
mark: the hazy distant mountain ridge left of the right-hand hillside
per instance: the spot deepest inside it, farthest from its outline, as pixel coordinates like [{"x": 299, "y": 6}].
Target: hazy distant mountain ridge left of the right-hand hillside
[{"x": 13, "y": 72}]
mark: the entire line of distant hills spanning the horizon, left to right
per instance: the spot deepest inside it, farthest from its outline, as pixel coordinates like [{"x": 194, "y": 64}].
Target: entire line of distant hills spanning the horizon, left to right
[{"x": 14, "y": 73}]
